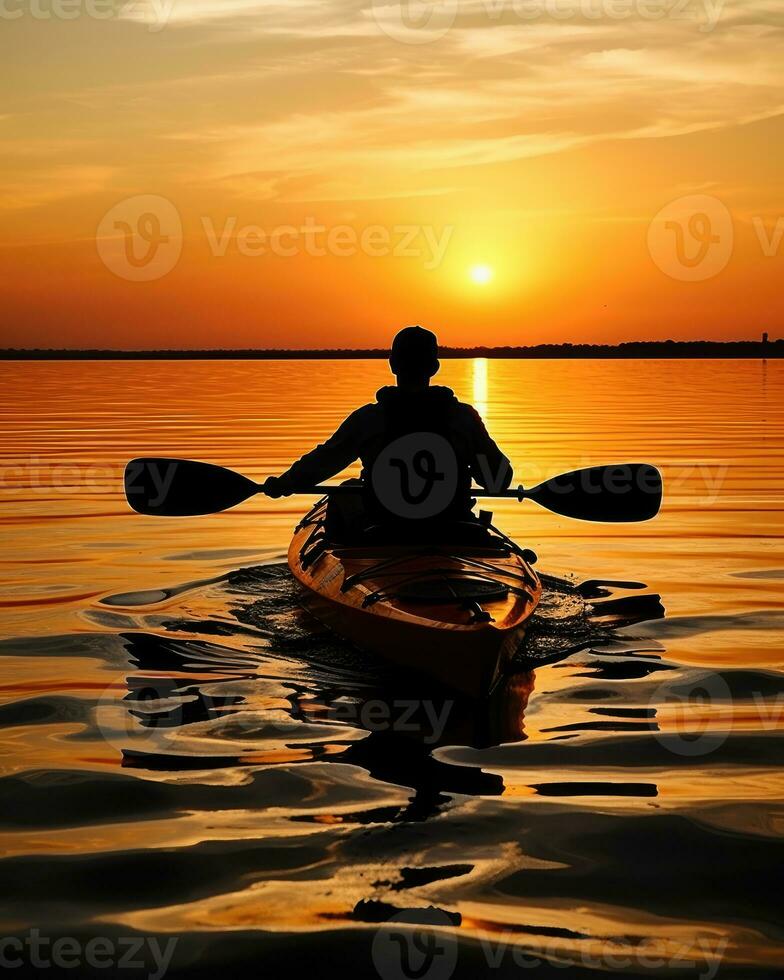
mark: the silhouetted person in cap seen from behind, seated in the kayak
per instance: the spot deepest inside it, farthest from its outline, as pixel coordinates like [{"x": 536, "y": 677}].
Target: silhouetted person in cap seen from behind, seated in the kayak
[{"x": 412, "y": 409}]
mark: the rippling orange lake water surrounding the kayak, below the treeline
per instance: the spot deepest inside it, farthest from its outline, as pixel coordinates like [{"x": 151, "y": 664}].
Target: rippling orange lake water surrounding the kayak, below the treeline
[{"x": 181, "y": 758}]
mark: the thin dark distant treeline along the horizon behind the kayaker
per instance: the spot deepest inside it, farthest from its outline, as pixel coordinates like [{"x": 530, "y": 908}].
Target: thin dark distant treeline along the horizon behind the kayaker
[{"x": 631, "y": 349}]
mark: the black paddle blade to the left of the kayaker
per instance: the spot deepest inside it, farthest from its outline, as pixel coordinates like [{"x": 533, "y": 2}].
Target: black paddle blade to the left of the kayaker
[{"x": 183, "y": 487}]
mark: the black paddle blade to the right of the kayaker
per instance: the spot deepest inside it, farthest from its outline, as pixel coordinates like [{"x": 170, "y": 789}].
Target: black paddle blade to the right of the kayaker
[{"x": 615, "y": 494}]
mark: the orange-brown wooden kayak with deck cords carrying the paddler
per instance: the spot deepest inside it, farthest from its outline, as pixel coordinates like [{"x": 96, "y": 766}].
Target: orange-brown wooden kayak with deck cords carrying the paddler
[{"x": 455, "y": 612}]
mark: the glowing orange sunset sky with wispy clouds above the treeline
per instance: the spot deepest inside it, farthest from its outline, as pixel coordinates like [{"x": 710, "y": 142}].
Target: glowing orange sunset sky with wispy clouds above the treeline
[{"x": 422, "y": 144}]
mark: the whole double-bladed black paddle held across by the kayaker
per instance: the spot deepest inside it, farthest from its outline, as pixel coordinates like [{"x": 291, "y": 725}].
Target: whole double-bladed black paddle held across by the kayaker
[{"x": 187, "y": 488}]
